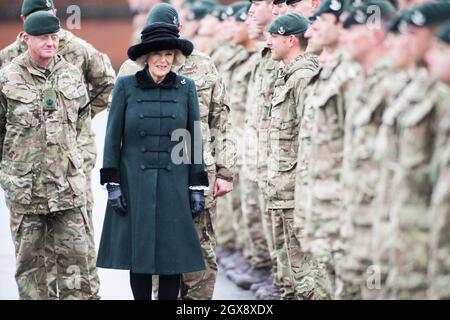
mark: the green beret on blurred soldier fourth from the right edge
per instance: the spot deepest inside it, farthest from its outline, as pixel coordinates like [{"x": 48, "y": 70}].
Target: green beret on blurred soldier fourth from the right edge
[{"x": 360, "y": 14}]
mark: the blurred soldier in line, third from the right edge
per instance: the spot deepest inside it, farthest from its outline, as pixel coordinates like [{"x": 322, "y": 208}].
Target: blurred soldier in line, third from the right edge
[{"x": 386, "y": 150}]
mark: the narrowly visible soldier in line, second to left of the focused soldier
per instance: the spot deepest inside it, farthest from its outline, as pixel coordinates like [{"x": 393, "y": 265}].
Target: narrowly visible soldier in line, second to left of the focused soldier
[{"x": 258, "y": 256}]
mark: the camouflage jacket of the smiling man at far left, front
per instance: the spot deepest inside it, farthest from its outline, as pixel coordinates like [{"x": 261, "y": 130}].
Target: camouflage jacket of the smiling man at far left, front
[{"x": 41, "y": 165}]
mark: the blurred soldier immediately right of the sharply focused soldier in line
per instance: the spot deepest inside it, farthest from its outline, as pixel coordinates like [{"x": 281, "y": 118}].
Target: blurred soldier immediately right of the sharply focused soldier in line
[{"x": 323, "y": 204}]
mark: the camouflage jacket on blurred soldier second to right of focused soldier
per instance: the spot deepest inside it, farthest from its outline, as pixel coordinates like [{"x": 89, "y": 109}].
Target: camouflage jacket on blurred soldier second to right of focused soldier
[{"x": 364, "y": 116}]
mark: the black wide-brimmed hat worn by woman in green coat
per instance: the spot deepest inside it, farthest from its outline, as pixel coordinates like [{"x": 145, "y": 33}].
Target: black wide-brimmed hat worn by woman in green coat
[{"x": 160, "y": 36}]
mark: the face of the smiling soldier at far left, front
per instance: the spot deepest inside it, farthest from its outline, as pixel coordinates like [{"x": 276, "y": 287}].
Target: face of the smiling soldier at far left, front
[{"x": 42, "y": 47}]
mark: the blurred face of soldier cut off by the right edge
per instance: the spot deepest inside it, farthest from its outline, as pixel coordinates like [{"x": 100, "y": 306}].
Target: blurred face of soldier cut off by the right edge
[{"x": 438, "y": 61}]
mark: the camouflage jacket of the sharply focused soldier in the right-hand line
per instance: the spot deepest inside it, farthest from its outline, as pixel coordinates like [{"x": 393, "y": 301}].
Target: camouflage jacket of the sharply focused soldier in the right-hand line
[{"x": 285, "y": 115}]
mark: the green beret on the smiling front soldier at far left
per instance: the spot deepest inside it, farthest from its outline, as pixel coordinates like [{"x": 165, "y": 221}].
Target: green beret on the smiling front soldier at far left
[{"x": 41, "y": 22}]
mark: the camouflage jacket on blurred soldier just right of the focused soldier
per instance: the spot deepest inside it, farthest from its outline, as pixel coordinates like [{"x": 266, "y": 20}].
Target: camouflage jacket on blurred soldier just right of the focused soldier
[{"x": 326, "y": 149}]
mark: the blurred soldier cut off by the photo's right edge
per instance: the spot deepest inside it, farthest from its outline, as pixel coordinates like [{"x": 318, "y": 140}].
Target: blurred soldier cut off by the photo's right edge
[{"x": 438, "y": 61}]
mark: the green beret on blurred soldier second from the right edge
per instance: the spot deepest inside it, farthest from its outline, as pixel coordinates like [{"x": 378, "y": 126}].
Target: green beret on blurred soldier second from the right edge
[{"x": 427, "y": 14}]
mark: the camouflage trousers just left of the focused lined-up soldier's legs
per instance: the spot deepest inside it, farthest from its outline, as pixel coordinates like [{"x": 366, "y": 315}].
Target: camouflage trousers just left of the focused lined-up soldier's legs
[{"x": 252, "y": 212}]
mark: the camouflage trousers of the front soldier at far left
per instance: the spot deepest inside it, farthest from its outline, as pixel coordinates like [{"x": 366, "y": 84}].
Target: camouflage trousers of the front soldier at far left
[{"x": 52, "y": 255}]
